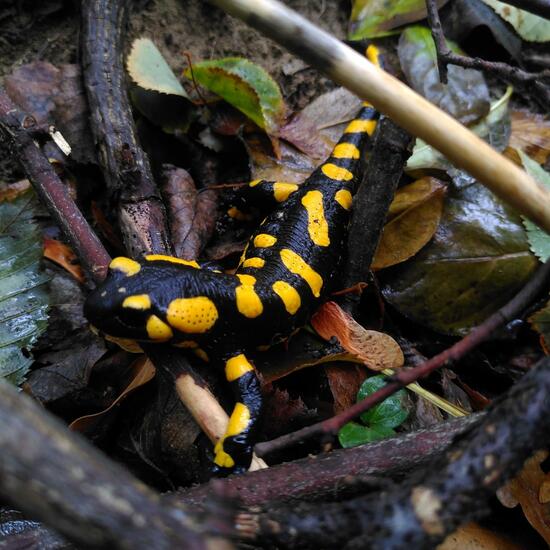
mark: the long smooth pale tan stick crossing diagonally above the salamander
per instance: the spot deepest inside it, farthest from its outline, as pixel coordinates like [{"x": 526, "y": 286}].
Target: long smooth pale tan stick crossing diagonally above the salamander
[{"x": 396, "y": 100}]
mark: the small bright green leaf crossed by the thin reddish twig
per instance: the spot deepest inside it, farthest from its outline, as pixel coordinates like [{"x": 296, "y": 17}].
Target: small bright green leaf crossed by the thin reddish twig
[{"x": 389, "y": 413}]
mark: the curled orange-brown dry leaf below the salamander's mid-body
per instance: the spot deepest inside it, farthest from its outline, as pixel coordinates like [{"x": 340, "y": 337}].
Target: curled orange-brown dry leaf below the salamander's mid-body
[{"x": 377, "y": 350}]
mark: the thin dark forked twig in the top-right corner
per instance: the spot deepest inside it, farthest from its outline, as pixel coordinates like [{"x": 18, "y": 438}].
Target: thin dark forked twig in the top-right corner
[{"x": 531, "y": 82}]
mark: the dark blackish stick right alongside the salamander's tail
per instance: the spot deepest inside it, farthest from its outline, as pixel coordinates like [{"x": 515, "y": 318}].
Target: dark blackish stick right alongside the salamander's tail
[{"x": 371, "y": 202}]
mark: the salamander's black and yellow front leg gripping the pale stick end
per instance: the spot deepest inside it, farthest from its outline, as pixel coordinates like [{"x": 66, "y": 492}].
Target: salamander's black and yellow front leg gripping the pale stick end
[{"x": 233, "y": 452}]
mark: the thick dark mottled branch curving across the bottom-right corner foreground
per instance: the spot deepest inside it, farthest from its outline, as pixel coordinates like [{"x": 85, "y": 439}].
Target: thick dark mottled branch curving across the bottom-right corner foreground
[{"x": 422, "y": 511}]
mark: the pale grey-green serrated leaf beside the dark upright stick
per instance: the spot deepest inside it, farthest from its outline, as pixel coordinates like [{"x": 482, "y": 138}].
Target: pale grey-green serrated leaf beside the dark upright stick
[{"x": 149, "y": 70}]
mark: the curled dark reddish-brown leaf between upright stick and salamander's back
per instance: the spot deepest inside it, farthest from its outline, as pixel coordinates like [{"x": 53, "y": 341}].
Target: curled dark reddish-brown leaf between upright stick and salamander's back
[{"x": 192, "y": 213}]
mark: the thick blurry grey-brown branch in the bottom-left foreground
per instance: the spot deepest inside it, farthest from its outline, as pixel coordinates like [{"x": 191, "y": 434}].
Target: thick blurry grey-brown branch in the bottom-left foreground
[{"x": 56, "y": 476}]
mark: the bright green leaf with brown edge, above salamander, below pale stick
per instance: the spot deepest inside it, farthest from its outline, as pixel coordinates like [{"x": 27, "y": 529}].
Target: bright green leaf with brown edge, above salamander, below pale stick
[{"x": 246, "y": 86}]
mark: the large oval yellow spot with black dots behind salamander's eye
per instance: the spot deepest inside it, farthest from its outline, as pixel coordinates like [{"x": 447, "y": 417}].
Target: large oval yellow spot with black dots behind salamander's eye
[{"x": 192, "y": 315}]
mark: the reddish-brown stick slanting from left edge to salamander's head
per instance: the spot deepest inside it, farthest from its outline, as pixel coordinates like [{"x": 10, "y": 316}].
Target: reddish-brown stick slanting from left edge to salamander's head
[{"x": 16, "y": 129}]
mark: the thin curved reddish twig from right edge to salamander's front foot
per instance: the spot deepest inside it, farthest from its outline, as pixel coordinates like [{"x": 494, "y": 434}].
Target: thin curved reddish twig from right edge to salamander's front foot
[{"x": 479, "y": 334}]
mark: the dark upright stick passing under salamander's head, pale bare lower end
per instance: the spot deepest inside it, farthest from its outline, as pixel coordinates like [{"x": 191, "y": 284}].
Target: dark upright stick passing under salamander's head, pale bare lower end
[{"x": 128, "y": 176}]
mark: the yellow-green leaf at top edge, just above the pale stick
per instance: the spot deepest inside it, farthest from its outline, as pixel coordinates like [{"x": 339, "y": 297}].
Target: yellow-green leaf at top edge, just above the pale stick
[{"x": 374, "y": 18}]
